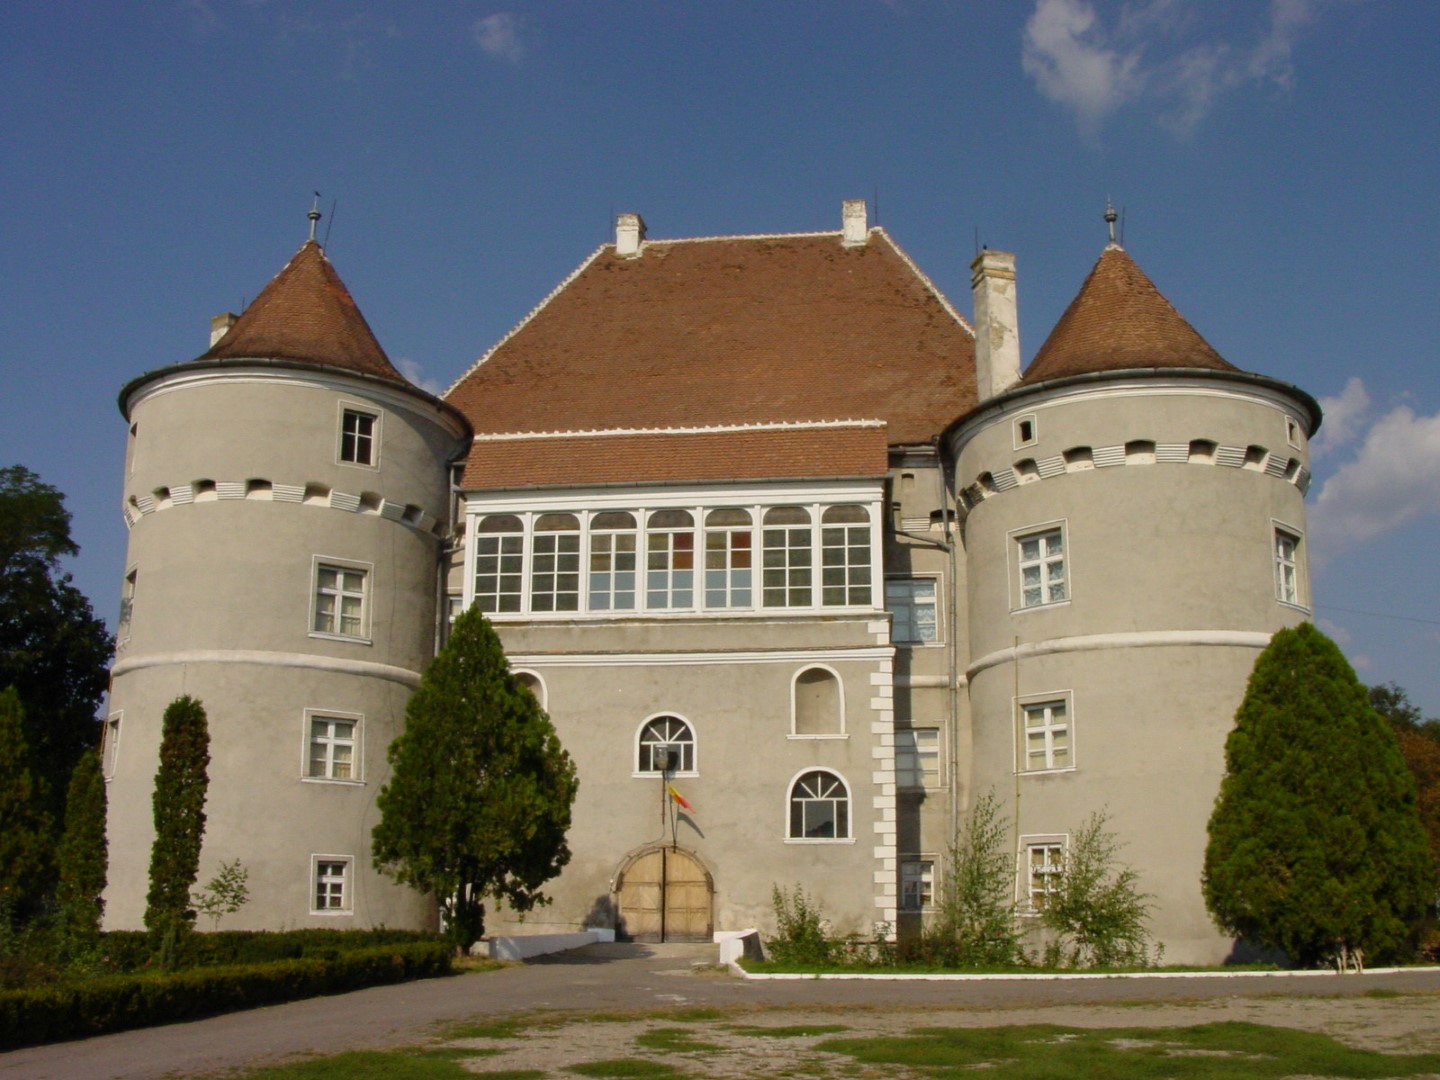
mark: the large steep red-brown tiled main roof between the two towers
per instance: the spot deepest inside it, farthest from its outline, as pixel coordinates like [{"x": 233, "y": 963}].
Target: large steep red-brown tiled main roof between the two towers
[{"x": 725, "y": 332}]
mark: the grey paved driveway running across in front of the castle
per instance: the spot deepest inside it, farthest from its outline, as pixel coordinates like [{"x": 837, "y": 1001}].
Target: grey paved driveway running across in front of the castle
[{"x": 607, "y": 978}]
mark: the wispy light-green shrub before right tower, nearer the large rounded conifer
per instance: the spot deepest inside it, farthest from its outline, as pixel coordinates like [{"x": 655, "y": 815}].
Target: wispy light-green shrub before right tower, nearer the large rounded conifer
[{"x": 1097, "y": 909}]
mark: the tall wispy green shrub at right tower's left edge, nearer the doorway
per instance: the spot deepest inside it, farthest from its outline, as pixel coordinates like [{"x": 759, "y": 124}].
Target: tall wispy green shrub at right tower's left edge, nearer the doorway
[{"x": 976, "y": 925}]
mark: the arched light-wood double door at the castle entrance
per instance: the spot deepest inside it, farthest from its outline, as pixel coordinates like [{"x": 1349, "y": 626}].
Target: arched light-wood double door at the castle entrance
[{"x": 665, "y": 895}]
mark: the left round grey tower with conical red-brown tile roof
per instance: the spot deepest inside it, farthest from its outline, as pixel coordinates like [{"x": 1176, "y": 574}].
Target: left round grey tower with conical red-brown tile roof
[{"x": 289, "y": 499}]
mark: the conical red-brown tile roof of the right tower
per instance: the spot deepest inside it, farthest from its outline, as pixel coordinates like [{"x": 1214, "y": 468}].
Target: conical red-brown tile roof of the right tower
[{"x": 1120, "y": 322}]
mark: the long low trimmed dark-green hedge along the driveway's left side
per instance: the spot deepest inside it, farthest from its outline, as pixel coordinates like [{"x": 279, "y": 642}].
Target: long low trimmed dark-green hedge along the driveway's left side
[{"x": 117, "y": 1003}]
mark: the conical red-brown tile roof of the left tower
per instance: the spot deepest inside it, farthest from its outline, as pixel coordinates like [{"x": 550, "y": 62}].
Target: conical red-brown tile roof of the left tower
[{"x": 306, "y": 315}]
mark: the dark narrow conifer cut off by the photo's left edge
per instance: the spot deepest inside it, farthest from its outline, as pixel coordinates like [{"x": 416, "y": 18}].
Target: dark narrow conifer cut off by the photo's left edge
[{"x": 25, "y": 827}]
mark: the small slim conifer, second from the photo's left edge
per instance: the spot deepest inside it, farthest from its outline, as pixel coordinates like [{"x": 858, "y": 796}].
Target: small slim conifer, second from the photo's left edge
[{"x": 83, "y": 858}]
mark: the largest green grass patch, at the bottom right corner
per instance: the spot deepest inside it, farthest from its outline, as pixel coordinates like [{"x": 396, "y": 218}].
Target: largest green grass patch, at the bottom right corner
[{"x": 1045, "y": 1052}]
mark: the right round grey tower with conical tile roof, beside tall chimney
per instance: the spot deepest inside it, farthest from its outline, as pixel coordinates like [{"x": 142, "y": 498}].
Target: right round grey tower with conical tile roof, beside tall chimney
[{"x": 1135, "y": 534}]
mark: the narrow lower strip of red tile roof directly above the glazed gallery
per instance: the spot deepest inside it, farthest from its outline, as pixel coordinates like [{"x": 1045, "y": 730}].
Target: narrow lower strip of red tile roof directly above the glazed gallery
[{"x": 811, "y": 453}]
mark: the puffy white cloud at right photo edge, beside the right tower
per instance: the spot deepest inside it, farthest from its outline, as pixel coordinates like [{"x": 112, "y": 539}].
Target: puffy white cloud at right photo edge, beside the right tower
[{"x": 1393, "y": 480}]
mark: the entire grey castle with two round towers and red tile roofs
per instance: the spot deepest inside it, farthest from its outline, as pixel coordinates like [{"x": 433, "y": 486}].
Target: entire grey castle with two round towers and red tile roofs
[{"x": 760, "y": 519}]
